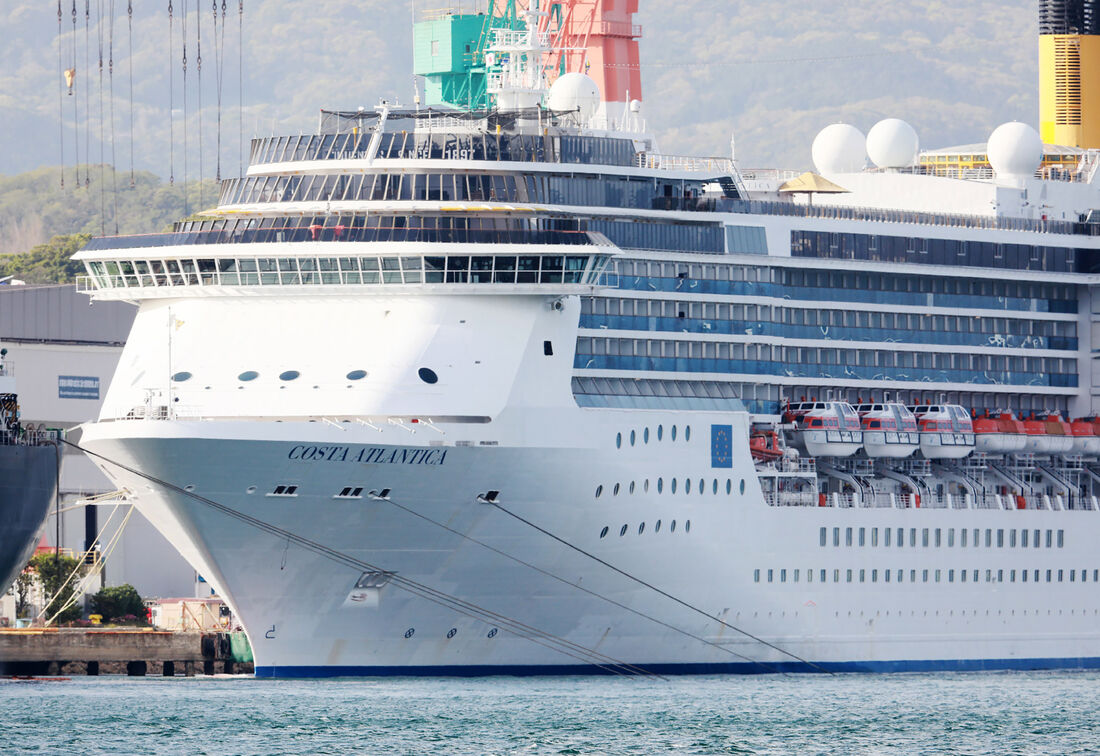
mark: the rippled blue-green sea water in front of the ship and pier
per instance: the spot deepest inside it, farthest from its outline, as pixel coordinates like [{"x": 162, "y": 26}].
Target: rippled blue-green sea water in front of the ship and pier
[{"x": 960, "y": 714}]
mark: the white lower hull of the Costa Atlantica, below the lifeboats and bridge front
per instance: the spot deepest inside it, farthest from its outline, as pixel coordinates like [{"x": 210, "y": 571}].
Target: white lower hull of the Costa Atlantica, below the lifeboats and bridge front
[{"x": 305, "y": 619}]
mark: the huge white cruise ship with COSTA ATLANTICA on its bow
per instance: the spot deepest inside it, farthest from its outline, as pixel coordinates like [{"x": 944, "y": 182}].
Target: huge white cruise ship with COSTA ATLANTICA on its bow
[{"x": 503, "y": 389}]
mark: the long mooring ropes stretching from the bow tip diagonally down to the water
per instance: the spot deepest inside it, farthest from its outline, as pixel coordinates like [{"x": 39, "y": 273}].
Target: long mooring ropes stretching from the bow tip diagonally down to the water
[{"x": 460, "y": 606}]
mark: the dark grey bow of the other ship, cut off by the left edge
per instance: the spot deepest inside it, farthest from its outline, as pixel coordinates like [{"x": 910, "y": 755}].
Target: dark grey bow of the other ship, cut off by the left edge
[{"x": 29, "y": 465}]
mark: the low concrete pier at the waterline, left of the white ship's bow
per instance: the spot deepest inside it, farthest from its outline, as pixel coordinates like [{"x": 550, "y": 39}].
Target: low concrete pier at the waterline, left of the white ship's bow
[{"x": 134, "y": 652}]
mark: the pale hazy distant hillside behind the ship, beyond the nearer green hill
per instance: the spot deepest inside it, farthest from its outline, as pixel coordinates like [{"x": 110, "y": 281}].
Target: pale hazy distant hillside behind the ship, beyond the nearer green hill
[{"x": 772, "y": 73}]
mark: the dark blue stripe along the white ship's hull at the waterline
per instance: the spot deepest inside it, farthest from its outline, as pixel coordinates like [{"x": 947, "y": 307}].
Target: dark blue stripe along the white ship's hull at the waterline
[{"x": 738, "y": 669}]
